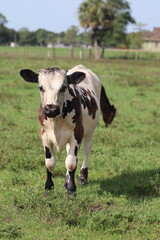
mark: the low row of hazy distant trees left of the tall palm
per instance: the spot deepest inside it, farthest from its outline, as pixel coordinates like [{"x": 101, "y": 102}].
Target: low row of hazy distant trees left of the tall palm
[{"x": 41, "y": 37}]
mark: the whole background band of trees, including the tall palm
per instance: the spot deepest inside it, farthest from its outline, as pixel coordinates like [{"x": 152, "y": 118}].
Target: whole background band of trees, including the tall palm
[{"x": 104, "y": 22}]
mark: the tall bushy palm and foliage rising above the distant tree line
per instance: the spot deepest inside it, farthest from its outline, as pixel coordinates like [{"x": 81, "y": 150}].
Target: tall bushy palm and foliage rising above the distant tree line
[{"x": 103, "y": 17}]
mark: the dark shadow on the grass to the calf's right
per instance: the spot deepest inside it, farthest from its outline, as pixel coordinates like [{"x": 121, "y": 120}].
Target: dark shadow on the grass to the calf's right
[{"x": 133, "y": 184}]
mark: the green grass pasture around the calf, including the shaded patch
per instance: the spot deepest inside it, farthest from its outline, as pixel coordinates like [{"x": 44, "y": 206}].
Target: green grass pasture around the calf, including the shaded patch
[{"x": 121, "y": 200}]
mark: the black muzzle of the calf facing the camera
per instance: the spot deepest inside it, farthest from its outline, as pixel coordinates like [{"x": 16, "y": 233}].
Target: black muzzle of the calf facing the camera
[{"x": 51, "y": 110}]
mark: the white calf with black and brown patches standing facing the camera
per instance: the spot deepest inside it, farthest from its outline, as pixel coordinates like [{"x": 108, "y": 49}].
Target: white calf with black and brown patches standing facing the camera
[{"x": 69, "y": 112}]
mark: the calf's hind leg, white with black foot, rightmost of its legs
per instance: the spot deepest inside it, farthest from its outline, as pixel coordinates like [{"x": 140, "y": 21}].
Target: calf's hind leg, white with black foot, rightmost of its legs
[{"x": 84, "y": 169}]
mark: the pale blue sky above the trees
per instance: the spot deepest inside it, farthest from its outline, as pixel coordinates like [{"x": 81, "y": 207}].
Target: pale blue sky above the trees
[{"x": 59, "y": 15}]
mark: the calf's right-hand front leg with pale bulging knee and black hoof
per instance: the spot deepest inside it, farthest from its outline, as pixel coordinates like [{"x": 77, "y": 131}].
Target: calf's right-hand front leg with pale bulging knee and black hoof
[{"x": 71, "y": 165}]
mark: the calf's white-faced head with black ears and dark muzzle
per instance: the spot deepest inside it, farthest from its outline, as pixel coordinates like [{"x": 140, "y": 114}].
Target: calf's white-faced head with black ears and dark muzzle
[{"x": 53, "y": 83}]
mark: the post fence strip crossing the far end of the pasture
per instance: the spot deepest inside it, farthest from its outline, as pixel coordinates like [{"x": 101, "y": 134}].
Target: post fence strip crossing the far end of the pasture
[{"x": 82, "y": 53}]
